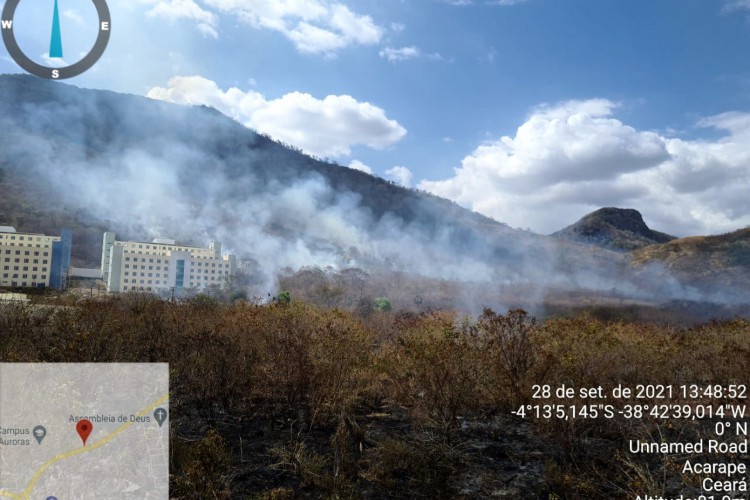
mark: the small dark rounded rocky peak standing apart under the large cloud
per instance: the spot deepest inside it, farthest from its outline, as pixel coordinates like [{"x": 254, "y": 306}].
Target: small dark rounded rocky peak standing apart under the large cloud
[{"x": 618, "y": 229}]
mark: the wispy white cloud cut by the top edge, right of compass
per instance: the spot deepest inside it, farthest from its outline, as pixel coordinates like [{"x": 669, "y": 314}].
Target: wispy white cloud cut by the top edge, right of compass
[{"x": 315, "y": 26}]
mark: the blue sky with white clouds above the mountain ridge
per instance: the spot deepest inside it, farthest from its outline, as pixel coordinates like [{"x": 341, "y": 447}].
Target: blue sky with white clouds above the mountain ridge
[{"x": 532, "y": 112}]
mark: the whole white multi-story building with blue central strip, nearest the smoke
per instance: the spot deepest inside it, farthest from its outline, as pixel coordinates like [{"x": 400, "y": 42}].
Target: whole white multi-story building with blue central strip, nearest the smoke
[{"x": 162, "y": 265}]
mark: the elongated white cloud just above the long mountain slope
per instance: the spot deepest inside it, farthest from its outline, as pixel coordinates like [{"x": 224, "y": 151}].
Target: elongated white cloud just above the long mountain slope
[{"x": 327, "y": 127}]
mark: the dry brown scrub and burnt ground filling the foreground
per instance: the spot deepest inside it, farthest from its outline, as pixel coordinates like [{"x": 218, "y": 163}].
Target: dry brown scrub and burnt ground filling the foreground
[{"x": 295, "y": 400}]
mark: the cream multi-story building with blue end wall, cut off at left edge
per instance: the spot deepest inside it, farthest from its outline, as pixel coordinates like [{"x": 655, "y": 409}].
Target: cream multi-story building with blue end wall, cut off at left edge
[{"x": 34, "y": 260}]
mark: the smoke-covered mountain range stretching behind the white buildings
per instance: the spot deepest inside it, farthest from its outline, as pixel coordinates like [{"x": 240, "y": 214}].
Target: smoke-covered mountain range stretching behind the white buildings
[{"x": 94, "y": 160}]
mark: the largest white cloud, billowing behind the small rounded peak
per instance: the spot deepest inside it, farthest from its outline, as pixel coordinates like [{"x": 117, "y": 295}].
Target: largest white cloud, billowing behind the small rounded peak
[{"x": 571, "y": 158}]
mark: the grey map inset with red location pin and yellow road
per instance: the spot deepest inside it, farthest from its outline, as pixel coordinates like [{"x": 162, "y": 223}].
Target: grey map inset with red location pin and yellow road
[{"x": 84, "y": 430}]
